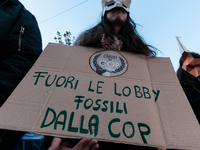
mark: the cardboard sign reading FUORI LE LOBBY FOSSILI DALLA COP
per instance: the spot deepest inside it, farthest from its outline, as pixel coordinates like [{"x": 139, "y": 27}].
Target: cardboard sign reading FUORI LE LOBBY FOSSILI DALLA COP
[{"x": 120, "y": 97}]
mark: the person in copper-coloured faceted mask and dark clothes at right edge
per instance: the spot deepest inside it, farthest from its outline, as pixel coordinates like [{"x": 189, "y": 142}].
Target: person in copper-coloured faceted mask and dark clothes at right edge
[{"x": 188, "y": 74}]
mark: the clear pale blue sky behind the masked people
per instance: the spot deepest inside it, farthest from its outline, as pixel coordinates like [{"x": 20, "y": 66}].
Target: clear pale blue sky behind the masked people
[{"x": 160, "y": 21}]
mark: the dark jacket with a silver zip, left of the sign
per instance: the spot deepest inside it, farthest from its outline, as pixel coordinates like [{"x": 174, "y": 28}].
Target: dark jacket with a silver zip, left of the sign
[{"x": 20, "y": 46}]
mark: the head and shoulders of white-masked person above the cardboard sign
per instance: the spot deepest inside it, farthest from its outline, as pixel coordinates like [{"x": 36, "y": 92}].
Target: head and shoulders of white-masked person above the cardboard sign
[{"x": 116, "y": 31}]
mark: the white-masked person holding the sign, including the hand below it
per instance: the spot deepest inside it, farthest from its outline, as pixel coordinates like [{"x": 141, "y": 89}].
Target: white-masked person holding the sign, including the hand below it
[{"x": 116, "y": 31}]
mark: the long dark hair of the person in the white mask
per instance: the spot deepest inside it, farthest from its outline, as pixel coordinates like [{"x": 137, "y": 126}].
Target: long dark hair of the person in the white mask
[{"x": 132, "y": 41}]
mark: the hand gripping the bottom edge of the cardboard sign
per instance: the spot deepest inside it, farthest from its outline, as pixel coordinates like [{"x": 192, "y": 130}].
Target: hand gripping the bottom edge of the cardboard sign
[{"x": 84, "y": 144}]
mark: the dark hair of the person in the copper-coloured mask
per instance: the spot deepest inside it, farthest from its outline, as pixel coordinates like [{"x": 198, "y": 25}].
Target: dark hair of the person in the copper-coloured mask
[{"x": 184, "y": 76}]
